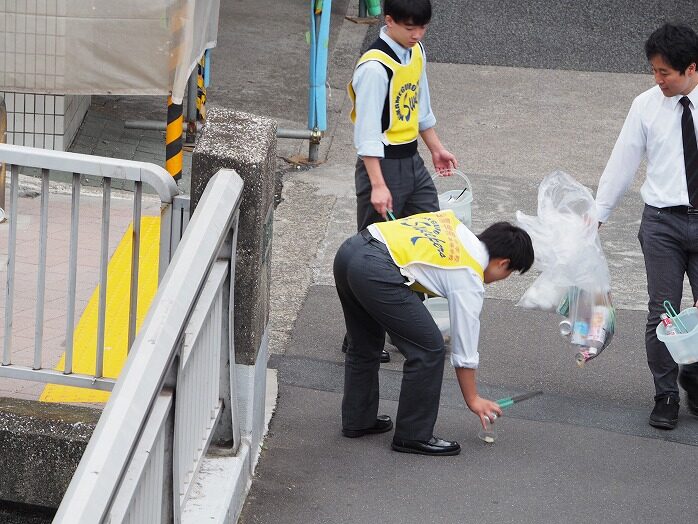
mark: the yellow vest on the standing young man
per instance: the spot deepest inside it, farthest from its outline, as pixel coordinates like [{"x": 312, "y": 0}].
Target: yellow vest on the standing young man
[{"x": 403, "y": 95}]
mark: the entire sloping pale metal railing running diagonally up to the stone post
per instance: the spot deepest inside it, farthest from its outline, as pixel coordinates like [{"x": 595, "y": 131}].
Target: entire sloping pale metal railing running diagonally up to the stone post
[{"x": 178, "y": 384}]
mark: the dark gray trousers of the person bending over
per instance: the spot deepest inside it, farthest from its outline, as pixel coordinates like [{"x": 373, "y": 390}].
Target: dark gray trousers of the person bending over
[{"x": 375, "y": 299}]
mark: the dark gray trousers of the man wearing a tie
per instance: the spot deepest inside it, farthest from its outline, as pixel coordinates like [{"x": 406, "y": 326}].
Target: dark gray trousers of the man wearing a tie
[{"x": 669, "y": 243}]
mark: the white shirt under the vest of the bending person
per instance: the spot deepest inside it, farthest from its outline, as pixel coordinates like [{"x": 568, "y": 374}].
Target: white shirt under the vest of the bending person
[{"x": 465, "y": 293}]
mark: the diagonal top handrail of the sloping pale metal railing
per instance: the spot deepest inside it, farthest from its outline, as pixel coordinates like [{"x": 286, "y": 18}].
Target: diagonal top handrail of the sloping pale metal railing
[{"x": 149, "y": 367}]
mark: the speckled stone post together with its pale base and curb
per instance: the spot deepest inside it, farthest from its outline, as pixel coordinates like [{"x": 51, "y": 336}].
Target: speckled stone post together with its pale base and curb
[{"x": 247, "y": 144}]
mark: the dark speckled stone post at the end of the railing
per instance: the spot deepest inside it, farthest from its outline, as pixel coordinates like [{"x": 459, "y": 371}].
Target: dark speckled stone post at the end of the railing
[{"x": 247, "y": 144}]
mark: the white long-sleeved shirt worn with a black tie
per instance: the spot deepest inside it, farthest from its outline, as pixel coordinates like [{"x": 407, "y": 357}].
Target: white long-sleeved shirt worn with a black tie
[{"x": 652, "y": 129}]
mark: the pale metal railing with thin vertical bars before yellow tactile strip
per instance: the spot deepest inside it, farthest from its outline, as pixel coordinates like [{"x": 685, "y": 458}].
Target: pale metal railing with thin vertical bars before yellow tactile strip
[{"x": 108, "y": 169}]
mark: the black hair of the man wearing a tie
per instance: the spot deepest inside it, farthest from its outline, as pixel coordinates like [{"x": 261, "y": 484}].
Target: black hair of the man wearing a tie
[{"x": 677, "y": 44}]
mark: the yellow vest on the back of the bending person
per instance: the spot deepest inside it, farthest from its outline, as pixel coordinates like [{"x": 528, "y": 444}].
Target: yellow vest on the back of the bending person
[{"x": 428, "y": 238}]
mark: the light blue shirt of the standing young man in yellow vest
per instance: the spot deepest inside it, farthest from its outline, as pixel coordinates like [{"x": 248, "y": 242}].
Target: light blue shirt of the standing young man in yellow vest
[{"x": 370, "y": 83}]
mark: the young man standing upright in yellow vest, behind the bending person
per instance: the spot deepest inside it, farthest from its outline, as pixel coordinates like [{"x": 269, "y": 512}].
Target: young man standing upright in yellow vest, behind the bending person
[{"x": 392, "y": 108}]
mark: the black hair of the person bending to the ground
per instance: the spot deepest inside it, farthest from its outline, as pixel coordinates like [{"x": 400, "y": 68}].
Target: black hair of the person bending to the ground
[{"x": 505, "y": 240}]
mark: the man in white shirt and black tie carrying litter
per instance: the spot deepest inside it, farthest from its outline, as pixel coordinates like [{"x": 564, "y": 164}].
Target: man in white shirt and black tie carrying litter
[{"x": 660, "y": 127}]
